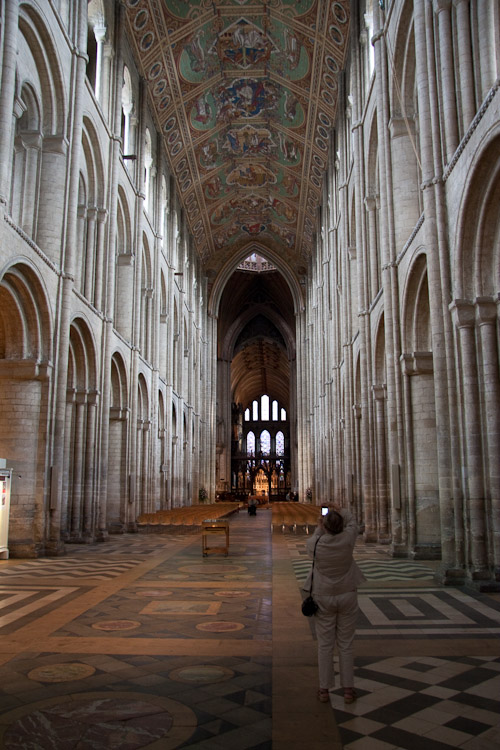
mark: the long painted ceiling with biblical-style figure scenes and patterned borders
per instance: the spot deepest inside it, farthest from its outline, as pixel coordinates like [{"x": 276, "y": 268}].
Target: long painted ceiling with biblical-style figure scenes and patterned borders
[{"x": 244, "y": 93}]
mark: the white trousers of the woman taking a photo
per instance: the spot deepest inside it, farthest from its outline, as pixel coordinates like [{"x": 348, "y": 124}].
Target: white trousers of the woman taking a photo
[{"x": 335, "y": 623}]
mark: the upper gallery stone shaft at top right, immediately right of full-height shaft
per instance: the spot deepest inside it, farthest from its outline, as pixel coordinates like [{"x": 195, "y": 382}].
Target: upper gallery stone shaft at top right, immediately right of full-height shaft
[{"x": 448, "y": 93}]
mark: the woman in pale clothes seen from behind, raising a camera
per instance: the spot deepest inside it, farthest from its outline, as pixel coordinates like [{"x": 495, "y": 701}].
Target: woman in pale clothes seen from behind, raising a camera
[{"x": 335, "y": 582}]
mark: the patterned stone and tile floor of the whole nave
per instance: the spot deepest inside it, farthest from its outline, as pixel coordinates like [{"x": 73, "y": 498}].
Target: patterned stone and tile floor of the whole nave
[{"x": 142, "y": 642}]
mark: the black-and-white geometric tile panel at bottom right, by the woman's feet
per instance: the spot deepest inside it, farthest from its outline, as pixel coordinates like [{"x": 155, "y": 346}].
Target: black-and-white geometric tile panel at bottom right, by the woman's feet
[{"x": 422, "y": 702}]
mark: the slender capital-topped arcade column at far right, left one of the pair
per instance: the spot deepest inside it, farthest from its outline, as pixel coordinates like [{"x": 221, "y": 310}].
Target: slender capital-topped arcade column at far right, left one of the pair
[{"x": 464, "y": 315}]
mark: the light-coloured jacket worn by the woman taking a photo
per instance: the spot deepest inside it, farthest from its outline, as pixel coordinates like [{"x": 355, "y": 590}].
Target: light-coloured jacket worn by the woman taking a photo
[{"x": 335, "y": 571}]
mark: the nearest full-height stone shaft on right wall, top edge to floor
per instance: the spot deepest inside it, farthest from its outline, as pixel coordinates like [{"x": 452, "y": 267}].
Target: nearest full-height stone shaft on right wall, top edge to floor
[{"x": 450, "y": 499}]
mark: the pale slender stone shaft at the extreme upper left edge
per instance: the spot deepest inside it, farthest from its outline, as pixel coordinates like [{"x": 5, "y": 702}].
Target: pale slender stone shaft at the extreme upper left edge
[{"x": 7, "y": 91}]
